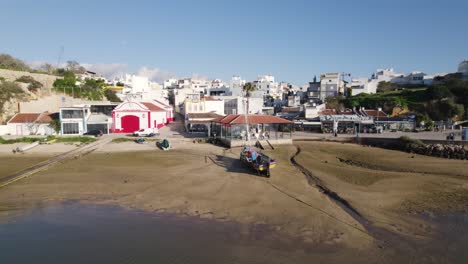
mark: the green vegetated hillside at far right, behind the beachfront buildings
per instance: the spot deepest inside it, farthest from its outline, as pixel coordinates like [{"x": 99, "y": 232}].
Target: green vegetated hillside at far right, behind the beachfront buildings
[{"x": 446, "y": 99}]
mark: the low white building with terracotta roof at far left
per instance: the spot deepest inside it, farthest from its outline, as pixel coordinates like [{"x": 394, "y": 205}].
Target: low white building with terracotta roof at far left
[{"x": 25, "y": 124}]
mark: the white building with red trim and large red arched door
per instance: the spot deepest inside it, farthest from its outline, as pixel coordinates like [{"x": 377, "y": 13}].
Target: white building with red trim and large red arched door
[{"x": 129, "y": 117}]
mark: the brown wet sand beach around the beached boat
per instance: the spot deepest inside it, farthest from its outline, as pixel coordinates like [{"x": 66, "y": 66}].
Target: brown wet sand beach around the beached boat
[{"x": 205, "y": 181}]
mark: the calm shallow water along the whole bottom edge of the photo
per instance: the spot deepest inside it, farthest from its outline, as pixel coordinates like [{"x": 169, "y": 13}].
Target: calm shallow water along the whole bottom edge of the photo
[{"x": 82, "y": 233}]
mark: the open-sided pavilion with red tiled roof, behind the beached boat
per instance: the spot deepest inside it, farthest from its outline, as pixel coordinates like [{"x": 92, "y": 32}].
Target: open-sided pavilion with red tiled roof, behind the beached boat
[{"x": 232, "y": 128}]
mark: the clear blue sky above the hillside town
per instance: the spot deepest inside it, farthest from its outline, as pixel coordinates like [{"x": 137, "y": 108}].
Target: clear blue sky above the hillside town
[{"x": 293, "y": 40}]
